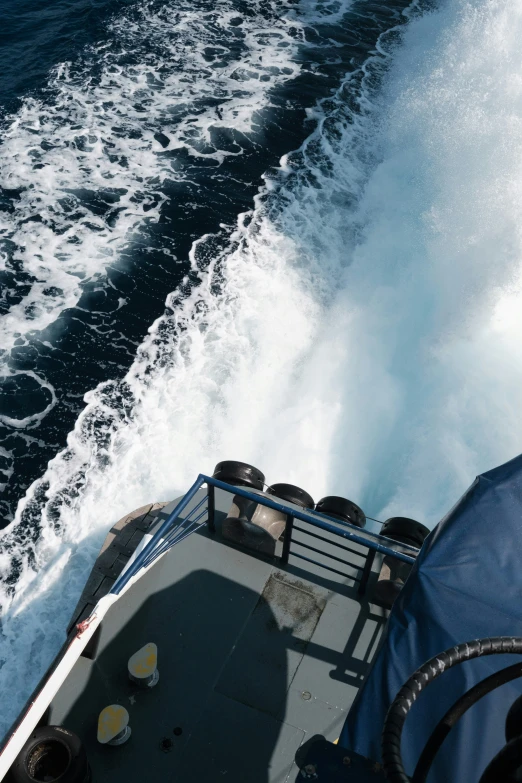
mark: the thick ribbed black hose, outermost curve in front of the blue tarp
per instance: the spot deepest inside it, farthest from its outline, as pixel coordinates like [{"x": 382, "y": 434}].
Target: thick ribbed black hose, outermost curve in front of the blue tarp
[{"x": 394, "y": 723}]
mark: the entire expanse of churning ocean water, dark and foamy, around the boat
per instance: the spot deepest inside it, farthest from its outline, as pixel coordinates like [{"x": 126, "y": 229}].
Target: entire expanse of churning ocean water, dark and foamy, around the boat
[{"x": 286, "y": 232}]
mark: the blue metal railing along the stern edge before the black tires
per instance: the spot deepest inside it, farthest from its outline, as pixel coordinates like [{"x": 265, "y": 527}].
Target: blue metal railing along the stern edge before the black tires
[{"x": 174, "y": 530}]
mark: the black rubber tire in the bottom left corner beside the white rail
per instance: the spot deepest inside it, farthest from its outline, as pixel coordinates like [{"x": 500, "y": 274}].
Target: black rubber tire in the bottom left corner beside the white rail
[{"x": 69, "y": 762}]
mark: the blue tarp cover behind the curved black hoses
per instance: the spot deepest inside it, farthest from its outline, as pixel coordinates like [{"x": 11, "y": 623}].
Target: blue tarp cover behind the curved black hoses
[{"x": 466, "y": 584}]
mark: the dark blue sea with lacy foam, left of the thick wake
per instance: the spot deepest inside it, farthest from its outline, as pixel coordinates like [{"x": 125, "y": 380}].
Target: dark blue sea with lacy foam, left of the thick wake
[{"x": 132, "y": 129}]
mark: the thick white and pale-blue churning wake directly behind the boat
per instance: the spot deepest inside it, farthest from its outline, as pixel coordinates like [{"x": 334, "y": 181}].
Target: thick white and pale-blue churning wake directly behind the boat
[{"x": 361, "y": 336}]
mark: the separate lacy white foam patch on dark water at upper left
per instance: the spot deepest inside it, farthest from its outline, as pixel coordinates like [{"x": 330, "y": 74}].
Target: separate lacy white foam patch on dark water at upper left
[{"x": 85, "y": 163}]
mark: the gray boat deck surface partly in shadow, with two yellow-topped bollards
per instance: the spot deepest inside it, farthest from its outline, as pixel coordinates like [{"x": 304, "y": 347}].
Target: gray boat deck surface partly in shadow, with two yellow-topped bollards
[{"x": 254, "y": 659}]
